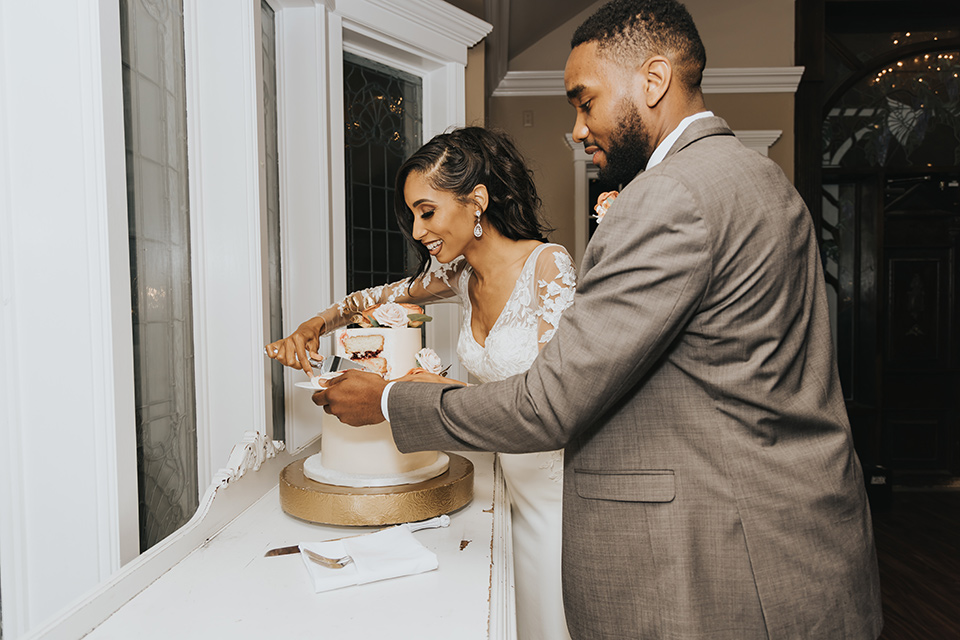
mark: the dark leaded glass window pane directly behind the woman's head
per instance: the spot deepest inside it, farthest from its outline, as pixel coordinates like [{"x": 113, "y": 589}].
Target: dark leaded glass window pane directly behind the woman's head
[{"x": 382, "y": 127}]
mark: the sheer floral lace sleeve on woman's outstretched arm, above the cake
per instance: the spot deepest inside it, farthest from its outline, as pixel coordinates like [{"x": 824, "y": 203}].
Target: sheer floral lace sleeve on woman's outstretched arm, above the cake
[{"x": 435, "y": 285}]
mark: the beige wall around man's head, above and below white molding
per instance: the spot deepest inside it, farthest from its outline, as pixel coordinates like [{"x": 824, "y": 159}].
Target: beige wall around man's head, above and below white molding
[{"x": 736, "y": 33}]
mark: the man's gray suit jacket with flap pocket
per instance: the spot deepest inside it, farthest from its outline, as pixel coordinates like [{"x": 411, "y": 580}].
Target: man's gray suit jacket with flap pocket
[{"x": 711, "y": 489}]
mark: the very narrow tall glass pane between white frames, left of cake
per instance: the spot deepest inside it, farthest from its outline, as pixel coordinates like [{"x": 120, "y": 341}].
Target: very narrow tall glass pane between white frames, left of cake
[{"x": 269, "y": 45}]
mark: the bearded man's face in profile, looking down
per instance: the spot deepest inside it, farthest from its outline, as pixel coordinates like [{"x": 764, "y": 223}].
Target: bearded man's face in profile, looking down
[{"x": 609, "y": 121}]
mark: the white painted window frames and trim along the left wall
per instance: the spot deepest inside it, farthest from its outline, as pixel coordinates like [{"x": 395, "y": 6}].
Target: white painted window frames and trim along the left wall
[{"x": 68, "y": 475}]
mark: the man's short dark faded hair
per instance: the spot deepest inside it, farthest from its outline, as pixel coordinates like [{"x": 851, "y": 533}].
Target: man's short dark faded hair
[{"x": 630, "y": 31}]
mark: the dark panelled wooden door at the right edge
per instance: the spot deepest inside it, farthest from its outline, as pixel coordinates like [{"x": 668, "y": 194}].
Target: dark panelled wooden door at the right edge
[{"x": 920, "y": 332}]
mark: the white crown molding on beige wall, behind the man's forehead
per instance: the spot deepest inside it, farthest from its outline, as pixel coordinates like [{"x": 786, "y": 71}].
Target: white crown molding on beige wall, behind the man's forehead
[{"x": 727, "y": 80}]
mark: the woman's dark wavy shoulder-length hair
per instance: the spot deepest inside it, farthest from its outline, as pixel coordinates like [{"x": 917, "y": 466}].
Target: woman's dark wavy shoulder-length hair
[{"x": 460, "y": 160}]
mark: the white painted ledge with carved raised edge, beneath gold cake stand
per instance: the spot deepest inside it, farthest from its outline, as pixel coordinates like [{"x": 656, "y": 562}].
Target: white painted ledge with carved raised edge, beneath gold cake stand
[{"x": 211, "y": 579}]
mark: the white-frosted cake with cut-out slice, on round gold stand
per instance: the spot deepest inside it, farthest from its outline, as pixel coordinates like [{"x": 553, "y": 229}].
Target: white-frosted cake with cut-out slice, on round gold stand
[{"x": 367, "y": 456}]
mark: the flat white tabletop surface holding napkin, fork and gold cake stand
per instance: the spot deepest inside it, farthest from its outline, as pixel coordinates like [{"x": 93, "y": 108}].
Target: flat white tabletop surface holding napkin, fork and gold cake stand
[{"x": 226, "y": 587}]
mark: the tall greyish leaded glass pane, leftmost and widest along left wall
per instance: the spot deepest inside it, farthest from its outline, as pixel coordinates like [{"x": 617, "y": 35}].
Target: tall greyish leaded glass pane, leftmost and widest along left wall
[{"x": 159, "y": 224}]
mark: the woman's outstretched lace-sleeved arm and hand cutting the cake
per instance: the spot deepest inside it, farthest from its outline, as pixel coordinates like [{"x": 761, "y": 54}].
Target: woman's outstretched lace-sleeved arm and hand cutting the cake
[{"x": 435, "y": 285}]
